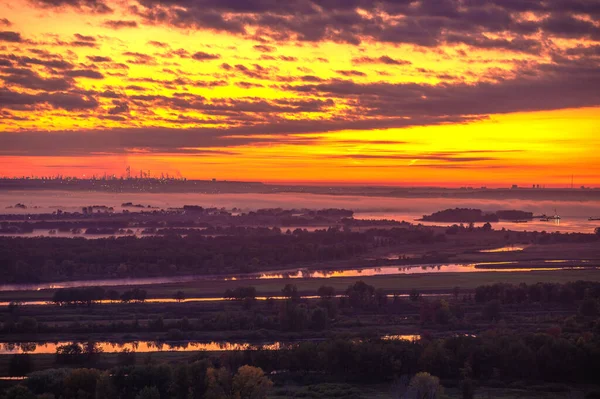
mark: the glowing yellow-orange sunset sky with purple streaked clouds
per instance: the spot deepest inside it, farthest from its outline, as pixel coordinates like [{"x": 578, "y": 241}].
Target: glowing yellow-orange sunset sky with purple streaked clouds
[{"x": 396, "y": 92}]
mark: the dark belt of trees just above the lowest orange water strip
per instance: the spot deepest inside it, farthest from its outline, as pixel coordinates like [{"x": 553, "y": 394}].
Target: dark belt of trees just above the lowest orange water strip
[{"x": 294, "y": 314}]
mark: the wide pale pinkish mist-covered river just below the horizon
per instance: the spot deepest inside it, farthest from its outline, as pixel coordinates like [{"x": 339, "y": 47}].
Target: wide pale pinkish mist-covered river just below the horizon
[{"x": 574, "y": 214}]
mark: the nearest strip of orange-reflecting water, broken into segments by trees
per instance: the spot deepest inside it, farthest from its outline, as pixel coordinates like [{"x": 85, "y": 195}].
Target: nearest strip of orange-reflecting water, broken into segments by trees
[{"x": 160, "y": 346}]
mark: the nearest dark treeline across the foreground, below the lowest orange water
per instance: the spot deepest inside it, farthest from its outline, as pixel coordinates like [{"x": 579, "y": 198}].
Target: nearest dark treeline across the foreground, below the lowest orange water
[{"x": 494, "y": 358}]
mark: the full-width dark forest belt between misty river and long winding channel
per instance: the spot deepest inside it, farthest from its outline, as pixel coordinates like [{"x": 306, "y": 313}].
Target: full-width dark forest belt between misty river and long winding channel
[{"x": 230, "y": 250}]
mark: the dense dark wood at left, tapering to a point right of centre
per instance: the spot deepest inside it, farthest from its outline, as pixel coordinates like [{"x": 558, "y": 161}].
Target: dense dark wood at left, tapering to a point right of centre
[{"x": 28, "y": 260}]
